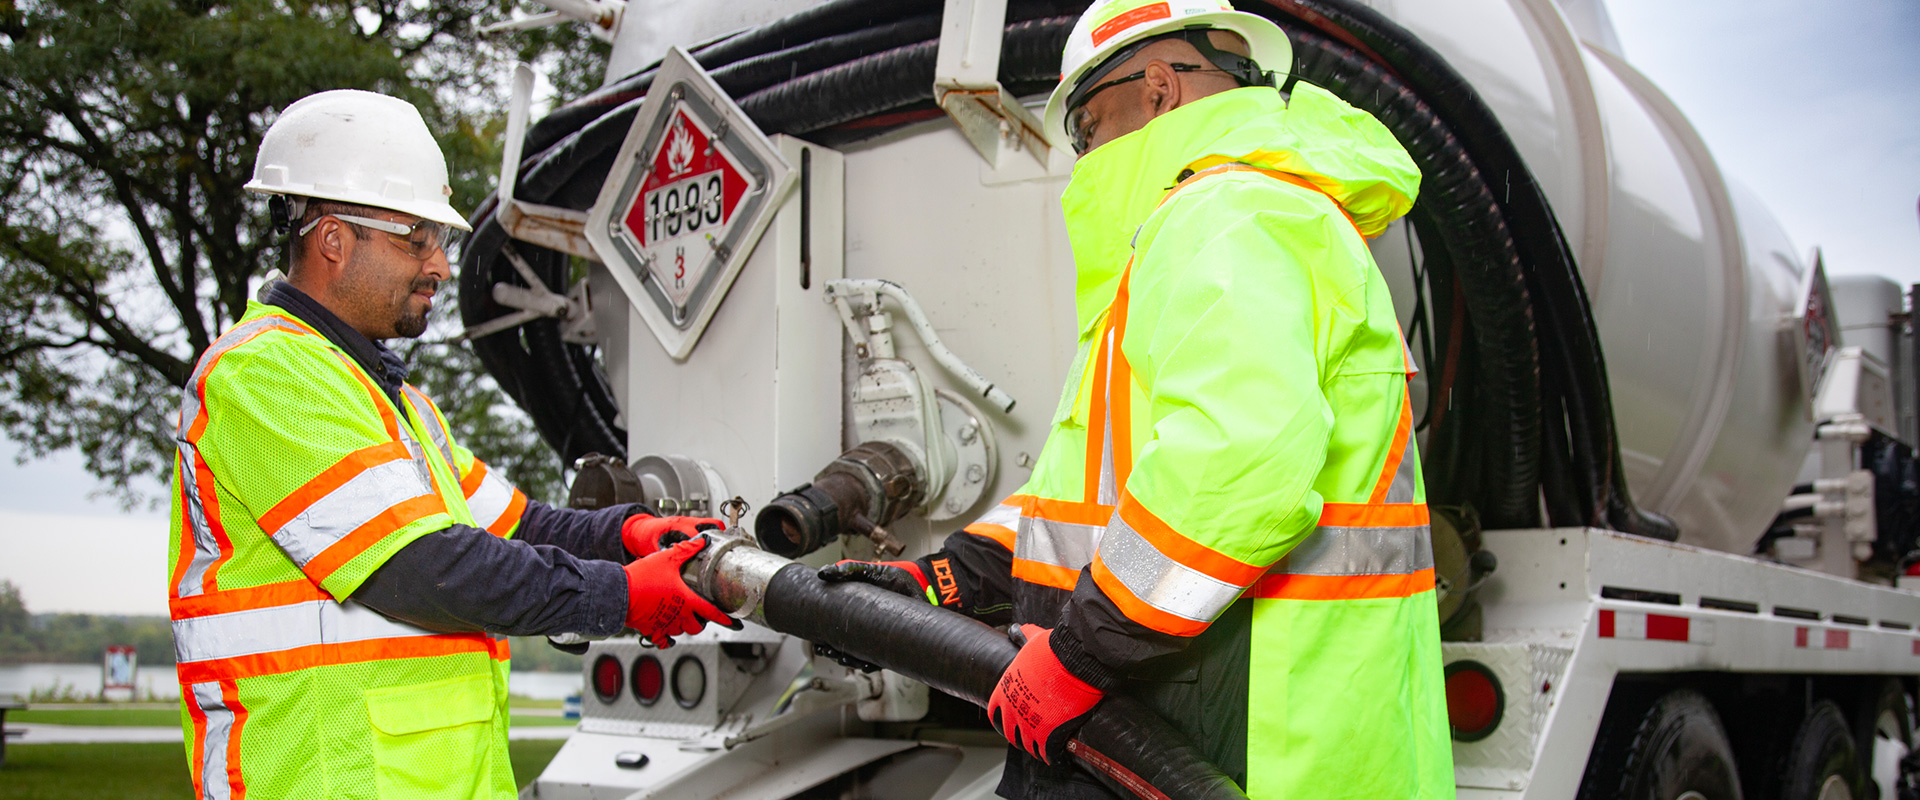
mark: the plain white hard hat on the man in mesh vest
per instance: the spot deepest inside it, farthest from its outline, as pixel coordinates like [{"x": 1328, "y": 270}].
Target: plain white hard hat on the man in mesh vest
[{"x": 358, "y": 149}]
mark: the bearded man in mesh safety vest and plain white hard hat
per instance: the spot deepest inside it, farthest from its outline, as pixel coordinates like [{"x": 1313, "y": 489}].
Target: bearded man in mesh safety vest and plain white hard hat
[{"x": 341, "y": 567}]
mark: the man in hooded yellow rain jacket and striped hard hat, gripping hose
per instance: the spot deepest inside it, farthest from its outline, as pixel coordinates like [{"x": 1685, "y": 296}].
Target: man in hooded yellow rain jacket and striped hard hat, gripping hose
[{"x": 1228, "y": 519}]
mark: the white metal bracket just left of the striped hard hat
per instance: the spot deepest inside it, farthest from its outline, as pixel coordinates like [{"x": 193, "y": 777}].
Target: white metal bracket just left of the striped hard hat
[{"x": 967, "y": 83}]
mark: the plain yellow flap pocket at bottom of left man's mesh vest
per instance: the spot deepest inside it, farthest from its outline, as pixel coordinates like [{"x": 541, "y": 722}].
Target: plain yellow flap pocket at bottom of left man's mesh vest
[{"x": 433, "y": 740}]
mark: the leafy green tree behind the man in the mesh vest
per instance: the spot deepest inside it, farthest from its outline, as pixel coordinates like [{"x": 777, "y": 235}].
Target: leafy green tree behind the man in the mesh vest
[{"x": 128, "y": 131}]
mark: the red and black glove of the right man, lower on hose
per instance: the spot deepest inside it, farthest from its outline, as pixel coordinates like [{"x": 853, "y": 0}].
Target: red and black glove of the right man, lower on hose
[{"x": 1040, "y": 705}]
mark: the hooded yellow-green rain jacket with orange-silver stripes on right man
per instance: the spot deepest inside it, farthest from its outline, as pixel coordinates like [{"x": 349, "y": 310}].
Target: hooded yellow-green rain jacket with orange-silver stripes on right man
[{"x": 1237, "y": 427}]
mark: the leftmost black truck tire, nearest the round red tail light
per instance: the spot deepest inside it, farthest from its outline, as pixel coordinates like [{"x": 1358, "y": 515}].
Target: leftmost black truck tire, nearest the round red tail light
[{"x": 1677, "y": 749}]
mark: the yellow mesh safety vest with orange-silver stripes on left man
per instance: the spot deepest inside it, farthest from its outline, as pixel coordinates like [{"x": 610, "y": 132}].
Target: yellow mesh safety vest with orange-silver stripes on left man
[{"x": 297, "y": 477}]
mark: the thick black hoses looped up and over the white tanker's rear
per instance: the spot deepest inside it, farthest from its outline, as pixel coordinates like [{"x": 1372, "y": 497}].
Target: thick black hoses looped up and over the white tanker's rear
[{"x": 1537, "y": 413}]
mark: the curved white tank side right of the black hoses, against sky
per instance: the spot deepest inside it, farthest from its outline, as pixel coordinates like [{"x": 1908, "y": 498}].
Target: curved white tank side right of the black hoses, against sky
[{"x": 1692, "y": 283}]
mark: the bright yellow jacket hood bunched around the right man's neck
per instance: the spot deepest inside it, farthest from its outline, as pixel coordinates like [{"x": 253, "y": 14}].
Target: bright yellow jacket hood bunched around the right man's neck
[{"x": 1316, "y": 135}]
